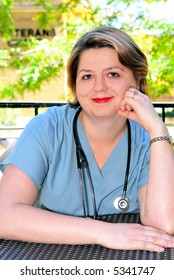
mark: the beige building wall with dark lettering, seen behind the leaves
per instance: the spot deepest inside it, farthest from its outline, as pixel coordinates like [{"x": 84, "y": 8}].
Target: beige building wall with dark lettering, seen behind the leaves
[{"x": 26, "y": 25}]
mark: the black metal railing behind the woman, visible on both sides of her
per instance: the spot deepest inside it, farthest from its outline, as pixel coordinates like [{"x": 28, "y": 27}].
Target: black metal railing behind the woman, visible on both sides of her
[{"x": 44, "y": 104}]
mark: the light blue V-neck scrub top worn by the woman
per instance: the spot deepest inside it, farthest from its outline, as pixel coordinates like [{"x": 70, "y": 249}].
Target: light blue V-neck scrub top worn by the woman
[{"x": 46, "y": 153}]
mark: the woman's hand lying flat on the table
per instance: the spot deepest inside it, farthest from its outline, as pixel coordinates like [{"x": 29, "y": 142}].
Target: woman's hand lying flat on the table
[{"x": 135, "y": 237}]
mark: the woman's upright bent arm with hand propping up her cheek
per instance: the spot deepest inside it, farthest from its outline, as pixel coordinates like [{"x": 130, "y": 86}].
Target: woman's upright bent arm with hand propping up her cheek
[{"x": 156, "y": 199}]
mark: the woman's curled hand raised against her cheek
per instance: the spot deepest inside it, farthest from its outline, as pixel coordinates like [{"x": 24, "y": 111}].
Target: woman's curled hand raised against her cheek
[{"x": 138, "y": 107}]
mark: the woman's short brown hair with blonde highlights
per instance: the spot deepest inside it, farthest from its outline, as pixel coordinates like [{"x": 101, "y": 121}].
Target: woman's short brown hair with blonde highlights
[{"x": 129, "y": 55}]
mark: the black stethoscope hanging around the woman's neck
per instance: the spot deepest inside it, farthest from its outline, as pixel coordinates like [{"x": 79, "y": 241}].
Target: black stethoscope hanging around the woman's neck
[{"x": 121, "y": 203}]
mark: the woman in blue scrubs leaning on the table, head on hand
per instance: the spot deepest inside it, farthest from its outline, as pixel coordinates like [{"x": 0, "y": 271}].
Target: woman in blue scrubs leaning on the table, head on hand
[{"x": 40, "y": 189}]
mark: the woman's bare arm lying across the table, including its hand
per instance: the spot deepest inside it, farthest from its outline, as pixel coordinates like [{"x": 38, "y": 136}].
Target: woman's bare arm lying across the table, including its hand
[{"x": 20, "y": 220}]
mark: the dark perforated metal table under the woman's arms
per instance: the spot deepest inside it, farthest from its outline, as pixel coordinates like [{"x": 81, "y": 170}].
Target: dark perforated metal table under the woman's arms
[{"x": 17, "y": 250}]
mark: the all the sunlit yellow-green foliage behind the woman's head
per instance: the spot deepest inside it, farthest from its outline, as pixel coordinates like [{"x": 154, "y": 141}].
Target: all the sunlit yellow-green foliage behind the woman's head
[{"x": 37, "y": 62}]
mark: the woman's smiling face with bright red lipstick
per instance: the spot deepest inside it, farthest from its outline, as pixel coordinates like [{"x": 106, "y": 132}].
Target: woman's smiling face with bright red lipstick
[{"x": 102, "y": 81}]
